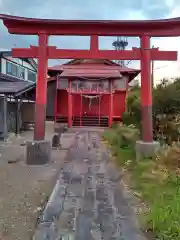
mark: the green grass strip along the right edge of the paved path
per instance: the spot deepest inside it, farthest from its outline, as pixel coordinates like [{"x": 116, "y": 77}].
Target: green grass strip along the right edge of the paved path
[{"x": 156, "y": 184}]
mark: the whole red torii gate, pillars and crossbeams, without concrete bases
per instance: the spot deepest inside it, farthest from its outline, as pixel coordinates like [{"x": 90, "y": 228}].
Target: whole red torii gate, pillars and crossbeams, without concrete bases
[{"x": 46, "y": 27}]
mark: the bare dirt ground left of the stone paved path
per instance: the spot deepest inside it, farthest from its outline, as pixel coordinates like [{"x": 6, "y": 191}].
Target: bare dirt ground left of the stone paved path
[{"x": 24, "y": 189}]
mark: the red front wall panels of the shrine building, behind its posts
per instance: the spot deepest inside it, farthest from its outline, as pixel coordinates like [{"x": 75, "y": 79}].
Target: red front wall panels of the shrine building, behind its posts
[{"x": 119, "y": 97}]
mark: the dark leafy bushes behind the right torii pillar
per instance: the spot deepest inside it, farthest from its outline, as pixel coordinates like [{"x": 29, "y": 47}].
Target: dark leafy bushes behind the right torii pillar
[{"x": 166, "y": 110}]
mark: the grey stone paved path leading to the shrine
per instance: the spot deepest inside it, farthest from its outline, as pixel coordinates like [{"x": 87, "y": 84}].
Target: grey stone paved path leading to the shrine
[{"x": 88, "y": 202}]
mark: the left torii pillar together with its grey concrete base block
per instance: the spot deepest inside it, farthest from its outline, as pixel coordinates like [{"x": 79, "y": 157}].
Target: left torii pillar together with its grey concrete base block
[{"x": 39, "y": 150}]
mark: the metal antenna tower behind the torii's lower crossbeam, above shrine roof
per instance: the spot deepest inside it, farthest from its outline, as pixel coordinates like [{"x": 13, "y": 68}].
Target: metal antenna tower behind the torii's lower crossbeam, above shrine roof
[{"x": 120, "y": 44}]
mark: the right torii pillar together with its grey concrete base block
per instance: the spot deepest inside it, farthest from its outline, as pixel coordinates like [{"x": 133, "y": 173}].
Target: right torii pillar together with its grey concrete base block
[{"x": 147, "y": 146}]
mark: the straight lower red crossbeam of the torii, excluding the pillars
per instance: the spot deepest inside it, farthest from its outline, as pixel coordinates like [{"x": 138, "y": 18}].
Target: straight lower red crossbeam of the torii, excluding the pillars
[{"x": 134, "y": 54}]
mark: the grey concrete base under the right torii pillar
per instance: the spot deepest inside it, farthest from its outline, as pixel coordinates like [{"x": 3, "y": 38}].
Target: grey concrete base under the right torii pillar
[{"x": 146, "y": 149}]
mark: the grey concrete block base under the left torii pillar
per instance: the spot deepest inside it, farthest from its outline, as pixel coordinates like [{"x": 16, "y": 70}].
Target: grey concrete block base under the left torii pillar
[{"x": 38, "y": 152}]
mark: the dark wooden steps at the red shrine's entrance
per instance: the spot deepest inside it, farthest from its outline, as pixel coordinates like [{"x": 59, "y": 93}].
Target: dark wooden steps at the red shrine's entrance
[{"x": 91, "y": 121}]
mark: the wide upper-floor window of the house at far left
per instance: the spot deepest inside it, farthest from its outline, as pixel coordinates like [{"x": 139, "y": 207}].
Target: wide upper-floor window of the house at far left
[{"x": 15, "y": 70}]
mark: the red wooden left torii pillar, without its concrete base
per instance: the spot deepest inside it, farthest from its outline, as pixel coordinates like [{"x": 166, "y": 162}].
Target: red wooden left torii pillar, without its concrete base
[{"x": 41, "y": 89}]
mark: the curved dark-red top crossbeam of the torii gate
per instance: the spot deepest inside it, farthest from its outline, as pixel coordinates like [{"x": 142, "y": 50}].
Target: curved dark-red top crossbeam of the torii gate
[{"x": 33, "y": 26}]
